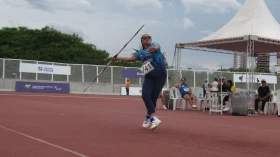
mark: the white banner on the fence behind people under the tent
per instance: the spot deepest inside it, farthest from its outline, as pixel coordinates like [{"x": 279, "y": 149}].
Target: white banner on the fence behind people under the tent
[{"x": 269, "y": 78}]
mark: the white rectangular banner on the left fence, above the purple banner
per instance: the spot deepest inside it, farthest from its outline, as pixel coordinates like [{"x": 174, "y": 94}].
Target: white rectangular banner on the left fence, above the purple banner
[{"x": 44, "y": 69}]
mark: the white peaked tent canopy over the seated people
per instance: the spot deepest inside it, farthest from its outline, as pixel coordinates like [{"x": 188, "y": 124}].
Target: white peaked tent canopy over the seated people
[{"x": 253, "y": 22}]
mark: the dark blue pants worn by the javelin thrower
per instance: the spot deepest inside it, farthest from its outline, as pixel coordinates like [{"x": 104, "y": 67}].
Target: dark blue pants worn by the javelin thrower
[{"x": 151, "y": 89}]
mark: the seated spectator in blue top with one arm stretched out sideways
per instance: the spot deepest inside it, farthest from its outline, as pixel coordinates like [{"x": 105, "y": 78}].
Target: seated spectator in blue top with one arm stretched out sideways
[{"x": 186, "y": 92}]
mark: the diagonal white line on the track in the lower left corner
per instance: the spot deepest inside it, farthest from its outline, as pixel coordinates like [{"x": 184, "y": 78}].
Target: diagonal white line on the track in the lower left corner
[{"x": 45, "y": 142}]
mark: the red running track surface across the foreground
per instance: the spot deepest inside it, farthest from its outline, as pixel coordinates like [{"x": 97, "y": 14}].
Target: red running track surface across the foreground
[{"x": 60, "y": 125}]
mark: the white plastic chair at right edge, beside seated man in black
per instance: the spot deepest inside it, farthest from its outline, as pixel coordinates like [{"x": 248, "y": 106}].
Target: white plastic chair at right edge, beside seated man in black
[{"x": 274, "y": 101}]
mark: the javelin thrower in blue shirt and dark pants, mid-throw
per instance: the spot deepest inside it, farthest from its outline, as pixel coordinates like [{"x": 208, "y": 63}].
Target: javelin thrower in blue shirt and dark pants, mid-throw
[{"x": 154, "y": 67}]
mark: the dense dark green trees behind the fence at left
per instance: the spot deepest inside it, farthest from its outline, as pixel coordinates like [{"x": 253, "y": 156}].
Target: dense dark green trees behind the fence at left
[{"x": 48, "y": 44}]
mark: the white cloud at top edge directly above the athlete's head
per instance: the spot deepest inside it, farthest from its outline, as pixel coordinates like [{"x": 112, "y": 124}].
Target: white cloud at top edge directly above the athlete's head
[{"x": 143, "y": 4}]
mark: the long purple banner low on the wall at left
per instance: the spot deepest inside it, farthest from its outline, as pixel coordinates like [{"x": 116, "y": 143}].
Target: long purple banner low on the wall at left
[{"x": 42, "y": 87}]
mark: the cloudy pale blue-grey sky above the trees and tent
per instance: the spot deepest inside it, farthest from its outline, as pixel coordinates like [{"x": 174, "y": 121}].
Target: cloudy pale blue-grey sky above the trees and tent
[{"x": 109, "y": 24}]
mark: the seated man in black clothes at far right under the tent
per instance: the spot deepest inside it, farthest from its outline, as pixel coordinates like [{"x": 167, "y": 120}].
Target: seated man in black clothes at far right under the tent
[{"x": 263, "y": 95}]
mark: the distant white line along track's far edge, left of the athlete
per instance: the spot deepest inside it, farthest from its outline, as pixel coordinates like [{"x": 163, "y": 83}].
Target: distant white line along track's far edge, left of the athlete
[{"x": 56, "y": 96}]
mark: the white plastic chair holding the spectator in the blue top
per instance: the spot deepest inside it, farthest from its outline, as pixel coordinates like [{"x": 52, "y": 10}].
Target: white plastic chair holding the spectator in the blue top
[{"x": 174, "y": 96}]
